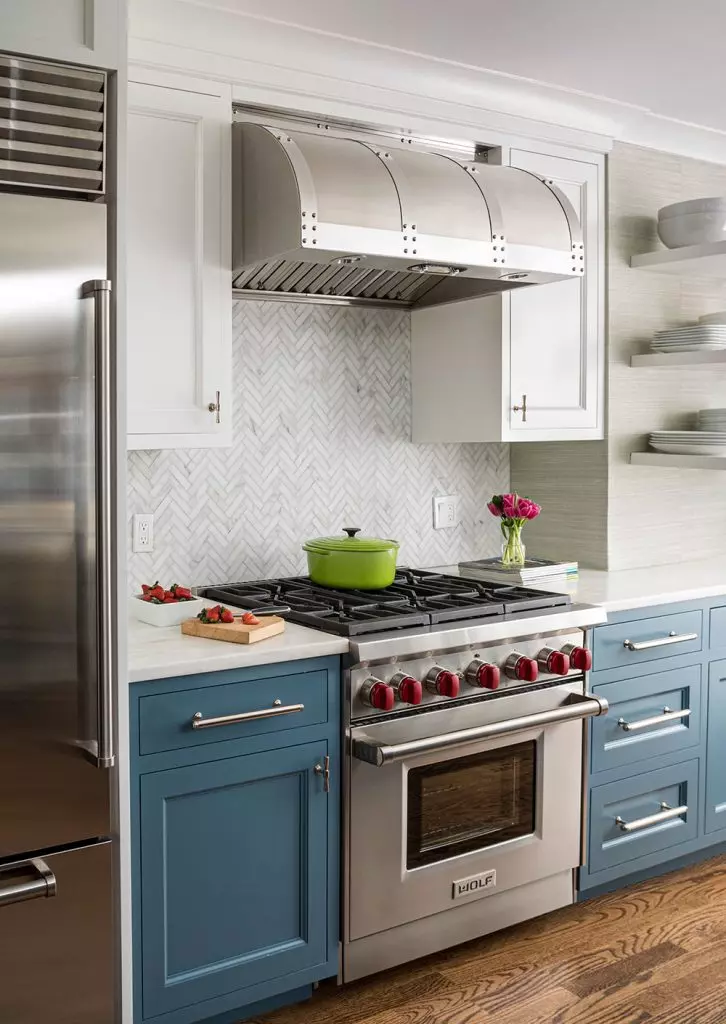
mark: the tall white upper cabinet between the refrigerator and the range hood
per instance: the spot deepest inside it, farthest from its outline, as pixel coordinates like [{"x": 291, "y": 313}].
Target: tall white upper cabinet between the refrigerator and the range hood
[{"x": 179, "y": 267}]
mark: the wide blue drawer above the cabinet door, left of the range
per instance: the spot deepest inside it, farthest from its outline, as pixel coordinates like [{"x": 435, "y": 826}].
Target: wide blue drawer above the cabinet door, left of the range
[{"x": 167, "y": 720}]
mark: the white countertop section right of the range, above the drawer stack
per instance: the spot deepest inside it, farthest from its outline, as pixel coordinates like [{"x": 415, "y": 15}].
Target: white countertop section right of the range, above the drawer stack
[{"x": 626, "y": 589}]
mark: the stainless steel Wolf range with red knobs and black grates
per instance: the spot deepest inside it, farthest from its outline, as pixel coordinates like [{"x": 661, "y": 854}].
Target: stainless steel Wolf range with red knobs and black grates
[{"x": 464, "y": 721}]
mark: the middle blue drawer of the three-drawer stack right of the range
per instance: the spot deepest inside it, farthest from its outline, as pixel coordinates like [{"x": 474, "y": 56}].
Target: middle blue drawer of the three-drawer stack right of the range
[{"x": 646, "y": 718}]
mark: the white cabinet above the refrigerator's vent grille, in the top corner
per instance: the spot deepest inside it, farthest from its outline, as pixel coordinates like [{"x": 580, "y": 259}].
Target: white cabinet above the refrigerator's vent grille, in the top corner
[{"x": 87, "y": 32}]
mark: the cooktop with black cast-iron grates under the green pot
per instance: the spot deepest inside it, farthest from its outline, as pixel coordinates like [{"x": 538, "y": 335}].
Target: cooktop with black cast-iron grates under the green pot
[{"x": 417, "y": 598}]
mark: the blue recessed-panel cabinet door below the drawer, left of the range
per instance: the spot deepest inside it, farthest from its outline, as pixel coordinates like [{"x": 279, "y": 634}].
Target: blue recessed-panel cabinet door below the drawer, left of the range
[{"x": 234, "y": 872}]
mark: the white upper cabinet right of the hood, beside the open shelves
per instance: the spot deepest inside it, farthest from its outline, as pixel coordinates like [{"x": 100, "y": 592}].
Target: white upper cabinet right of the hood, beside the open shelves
[{"x": 526, "y": 365}]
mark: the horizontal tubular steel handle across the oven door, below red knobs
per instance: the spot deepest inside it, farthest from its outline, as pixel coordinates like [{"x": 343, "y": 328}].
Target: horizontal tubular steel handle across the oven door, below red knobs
[{"x": 578, "y": 707}]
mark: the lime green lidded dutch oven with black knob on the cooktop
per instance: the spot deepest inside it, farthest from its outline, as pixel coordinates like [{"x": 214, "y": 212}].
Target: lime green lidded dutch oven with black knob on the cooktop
[{"x": 352, "y": 563}]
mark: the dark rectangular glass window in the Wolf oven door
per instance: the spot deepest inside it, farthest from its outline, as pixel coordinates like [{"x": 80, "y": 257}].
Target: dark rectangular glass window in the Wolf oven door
[{"x": 471, "y": 803}]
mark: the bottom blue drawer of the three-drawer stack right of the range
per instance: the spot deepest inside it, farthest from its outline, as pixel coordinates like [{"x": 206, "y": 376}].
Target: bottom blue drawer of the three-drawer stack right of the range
[{"x": 621, "y": 830}]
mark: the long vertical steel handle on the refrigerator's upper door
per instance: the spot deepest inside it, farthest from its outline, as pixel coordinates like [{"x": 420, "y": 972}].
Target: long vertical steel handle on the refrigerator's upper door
[{"x": 100, "y": 291}]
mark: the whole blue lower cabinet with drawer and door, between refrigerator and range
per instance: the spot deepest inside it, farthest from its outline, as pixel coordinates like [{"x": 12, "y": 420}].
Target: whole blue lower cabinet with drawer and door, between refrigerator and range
[{"x": 236, "y": 842}]
